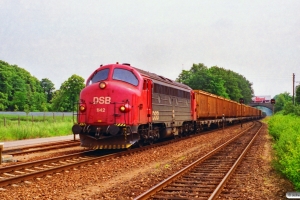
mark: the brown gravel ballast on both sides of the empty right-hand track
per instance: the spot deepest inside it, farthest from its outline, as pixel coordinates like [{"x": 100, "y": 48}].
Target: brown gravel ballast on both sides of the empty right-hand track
[{"x": 127, "y": 177}]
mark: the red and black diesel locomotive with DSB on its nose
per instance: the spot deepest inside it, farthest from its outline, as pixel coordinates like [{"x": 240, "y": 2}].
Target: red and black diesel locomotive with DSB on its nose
[{"x": 122, "y": 106}]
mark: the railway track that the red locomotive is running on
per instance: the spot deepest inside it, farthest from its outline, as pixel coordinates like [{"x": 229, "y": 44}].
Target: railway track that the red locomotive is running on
[{"x": 26, "y": 171}]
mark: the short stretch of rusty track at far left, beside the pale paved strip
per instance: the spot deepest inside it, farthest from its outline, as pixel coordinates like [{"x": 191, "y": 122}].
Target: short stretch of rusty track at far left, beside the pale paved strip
[{"x": 41, "y": 147}]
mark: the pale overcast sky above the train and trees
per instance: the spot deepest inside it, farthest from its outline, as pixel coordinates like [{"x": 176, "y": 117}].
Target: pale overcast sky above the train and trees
[{"x": 259, "y": 39}]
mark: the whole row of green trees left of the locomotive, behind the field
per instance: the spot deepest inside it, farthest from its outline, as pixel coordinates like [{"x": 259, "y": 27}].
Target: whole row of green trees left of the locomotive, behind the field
[{"x": 19, "y": 91}]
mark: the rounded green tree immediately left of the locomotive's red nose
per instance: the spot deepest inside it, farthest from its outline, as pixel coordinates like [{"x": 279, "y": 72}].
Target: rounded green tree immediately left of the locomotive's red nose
[{"x": 68, "y": 94}]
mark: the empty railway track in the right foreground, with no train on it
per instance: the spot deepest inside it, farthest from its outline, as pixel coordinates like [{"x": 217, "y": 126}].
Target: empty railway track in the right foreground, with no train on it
[{"x": 206, "y": 177}]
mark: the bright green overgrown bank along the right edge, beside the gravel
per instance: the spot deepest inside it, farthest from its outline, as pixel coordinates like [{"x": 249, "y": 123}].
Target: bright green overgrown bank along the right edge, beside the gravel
[{"x": 285, "y": 129}]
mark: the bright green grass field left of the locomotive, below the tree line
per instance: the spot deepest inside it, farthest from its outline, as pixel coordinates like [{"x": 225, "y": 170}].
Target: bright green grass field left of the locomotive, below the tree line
[{"x": 14, "y": 127}]
